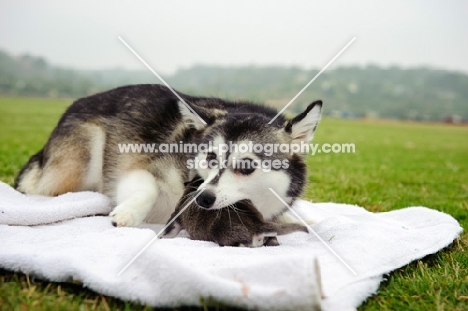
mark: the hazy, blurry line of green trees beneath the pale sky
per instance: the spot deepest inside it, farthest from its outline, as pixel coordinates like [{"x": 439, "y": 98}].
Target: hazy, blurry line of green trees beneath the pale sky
[{"x": 371, "y": 91}]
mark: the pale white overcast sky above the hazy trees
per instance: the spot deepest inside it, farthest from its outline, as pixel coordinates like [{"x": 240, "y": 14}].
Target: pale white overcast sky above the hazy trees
[{"x": 177, "y": 34}]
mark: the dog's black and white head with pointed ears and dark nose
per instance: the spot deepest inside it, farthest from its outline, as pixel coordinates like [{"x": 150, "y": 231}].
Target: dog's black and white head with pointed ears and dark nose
[{"x": 240, "y": 156}]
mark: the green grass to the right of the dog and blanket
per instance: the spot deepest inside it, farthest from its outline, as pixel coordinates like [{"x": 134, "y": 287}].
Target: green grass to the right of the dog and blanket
[{"x": 398, "y": 165}]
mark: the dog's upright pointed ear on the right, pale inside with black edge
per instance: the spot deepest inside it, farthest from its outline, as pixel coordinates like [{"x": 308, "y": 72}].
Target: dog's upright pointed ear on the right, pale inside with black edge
[{"x": 302, "y": 127}]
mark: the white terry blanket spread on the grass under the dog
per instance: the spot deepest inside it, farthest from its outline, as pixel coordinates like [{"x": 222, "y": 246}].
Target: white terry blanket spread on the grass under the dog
[{"x": 51, "y": 238}]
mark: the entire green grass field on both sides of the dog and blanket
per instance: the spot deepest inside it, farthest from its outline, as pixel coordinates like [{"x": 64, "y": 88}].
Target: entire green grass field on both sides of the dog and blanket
[{"x": 395, "y": 165}]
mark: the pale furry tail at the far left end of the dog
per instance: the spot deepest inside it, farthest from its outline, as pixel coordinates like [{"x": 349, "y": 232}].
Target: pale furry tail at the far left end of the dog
[{"x": 30, "y": 174}]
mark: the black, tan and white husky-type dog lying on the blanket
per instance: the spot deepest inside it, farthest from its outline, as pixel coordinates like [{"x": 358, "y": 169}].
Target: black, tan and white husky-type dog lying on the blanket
[{"x": 82, "y": 152}]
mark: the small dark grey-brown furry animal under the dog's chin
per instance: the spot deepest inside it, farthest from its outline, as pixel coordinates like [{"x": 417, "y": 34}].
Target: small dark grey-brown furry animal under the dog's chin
[{"x": 240, "y": 224}]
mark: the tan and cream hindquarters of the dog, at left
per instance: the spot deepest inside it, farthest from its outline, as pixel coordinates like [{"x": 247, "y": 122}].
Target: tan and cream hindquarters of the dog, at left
[{"x": 70, "y": 161}]
